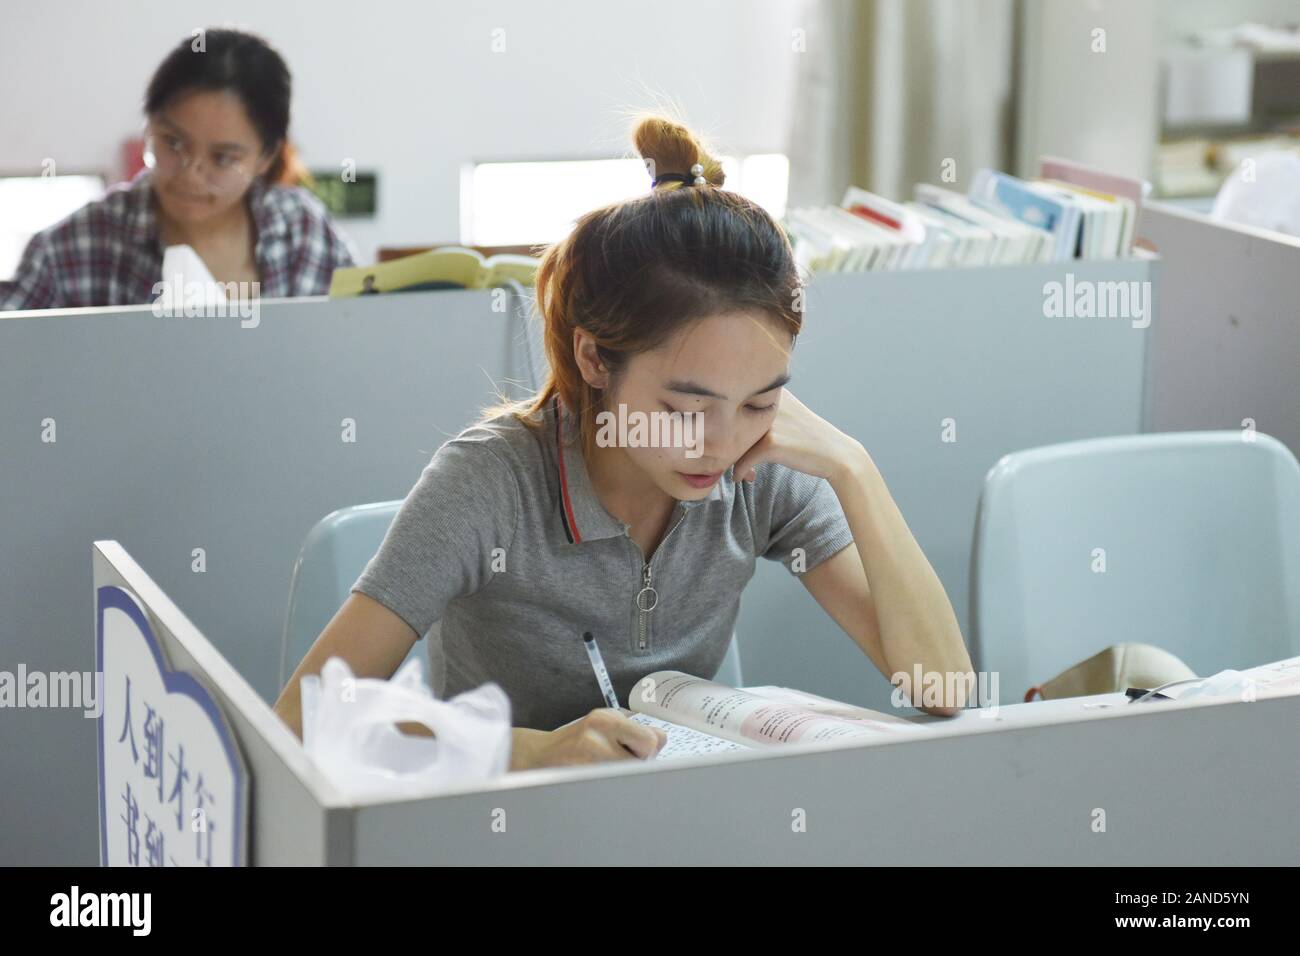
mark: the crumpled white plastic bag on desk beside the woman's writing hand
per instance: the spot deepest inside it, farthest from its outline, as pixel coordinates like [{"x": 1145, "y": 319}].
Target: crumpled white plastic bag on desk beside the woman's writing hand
[{"x": 349, "y": 729}]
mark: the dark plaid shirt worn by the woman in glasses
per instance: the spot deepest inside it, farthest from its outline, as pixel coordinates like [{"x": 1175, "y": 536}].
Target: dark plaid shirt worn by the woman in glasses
[{"x": 109, "y": 252}]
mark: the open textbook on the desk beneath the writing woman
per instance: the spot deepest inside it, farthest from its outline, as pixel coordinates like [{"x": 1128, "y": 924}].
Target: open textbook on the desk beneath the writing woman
[{"x": 707, "y": 717}]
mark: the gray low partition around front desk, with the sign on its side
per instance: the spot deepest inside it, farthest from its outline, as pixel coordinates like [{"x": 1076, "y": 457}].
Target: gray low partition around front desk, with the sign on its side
[{"x": 1021, "y": 785}]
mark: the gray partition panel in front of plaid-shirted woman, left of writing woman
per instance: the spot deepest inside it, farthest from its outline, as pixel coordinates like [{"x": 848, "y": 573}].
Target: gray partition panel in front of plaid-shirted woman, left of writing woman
[{"x": 175, "y": 435}]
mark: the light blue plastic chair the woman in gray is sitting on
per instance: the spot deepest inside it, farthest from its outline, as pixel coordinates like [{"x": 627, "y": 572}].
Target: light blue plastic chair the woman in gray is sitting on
[{"x": 332, "y": 559}]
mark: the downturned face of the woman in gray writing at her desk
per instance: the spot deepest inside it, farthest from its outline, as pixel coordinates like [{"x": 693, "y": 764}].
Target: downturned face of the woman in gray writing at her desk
[{"x": 725, "y": 377}]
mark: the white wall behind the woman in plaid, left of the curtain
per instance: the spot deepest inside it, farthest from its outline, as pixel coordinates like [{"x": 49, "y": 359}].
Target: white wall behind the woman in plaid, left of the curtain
[{"x": 410, "y": 89}]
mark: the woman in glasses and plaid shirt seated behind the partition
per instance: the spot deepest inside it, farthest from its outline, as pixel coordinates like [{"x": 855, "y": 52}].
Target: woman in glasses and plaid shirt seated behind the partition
[{"x": 215, "y": 150}]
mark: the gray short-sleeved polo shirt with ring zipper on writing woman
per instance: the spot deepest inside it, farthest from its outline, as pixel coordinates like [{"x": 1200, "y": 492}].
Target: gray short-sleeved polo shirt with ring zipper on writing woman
[{"x": 505, "y": 542}]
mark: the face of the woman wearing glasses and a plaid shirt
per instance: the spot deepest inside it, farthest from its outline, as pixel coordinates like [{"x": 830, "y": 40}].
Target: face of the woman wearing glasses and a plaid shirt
[{"x": 207, "y": 154}]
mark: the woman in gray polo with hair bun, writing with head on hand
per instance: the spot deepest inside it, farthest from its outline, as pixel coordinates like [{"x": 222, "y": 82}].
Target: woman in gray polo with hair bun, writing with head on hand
[{"x": 538, "y": 526}]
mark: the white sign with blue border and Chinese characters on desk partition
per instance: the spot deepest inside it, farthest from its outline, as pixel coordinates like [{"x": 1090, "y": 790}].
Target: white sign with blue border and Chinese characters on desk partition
[{"x": 174, "y": 790}]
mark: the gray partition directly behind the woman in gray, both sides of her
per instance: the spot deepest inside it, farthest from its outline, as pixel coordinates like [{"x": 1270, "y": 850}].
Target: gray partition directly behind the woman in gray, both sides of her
[{"x": 175, "y": 435}]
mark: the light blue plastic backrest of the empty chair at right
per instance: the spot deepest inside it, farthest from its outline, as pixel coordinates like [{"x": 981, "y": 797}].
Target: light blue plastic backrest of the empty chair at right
[{"x": 1190, "y": 542}]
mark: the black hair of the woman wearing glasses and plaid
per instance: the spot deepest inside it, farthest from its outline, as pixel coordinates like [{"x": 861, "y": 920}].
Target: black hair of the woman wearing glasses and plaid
[{"x": 233, "y": 62}]
